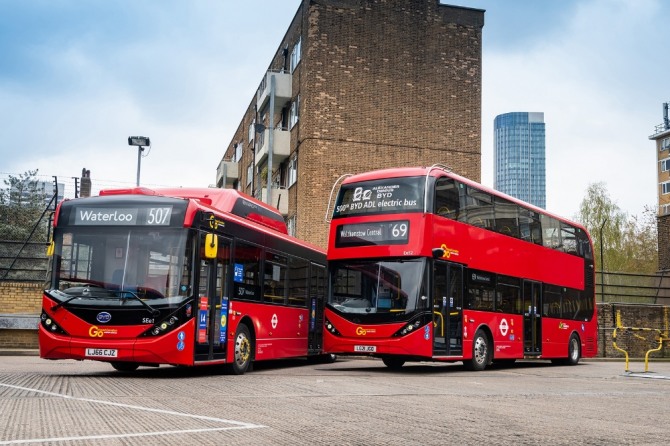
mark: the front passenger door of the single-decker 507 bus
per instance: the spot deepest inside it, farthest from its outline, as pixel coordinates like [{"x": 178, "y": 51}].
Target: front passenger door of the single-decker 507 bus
[{"x": 212, "y": 305}]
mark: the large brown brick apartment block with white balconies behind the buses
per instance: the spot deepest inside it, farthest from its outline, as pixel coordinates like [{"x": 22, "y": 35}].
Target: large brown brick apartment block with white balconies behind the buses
[{"x": 357, "y": 85}]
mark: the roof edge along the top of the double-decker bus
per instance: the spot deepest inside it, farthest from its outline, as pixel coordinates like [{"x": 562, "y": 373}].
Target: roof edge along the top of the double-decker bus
[{"x": 442, "y": 171}]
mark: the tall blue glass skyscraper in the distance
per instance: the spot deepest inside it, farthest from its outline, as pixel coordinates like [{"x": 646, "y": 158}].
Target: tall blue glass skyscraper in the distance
[{"x": 519, "y": 160}]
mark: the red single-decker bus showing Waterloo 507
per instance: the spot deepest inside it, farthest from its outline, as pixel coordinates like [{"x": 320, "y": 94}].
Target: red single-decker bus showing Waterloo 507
[{"x": 179, "y": 276}]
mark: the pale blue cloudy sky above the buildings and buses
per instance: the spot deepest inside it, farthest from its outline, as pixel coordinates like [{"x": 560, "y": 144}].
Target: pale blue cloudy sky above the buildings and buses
[{"x": 78, "y": 77}]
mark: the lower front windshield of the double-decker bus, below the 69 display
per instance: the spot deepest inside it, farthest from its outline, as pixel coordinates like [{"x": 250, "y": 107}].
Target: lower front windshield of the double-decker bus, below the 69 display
[{"x": 393, "y": 287}]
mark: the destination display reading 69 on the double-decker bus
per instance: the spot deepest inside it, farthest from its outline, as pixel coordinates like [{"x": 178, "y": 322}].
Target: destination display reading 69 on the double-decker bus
[{"x": 377, "y": 233}]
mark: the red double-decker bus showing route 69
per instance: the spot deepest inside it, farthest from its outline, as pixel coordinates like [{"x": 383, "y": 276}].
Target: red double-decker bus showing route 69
[{"x": 427, "y": 265}]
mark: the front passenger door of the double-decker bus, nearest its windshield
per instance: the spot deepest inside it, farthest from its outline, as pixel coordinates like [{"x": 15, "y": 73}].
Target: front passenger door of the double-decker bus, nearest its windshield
[{"x": 447, "y": 309}]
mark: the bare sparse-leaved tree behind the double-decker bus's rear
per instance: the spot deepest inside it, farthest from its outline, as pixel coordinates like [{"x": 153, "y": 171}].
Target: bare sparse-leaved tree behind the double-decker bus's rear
[{"x": 628, "y": 244}]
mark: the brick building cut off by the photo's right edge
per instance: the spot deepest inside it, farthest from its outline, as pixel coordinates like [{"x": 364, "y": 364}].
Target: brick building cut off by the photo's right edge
[{"x": 662, "y": 138}]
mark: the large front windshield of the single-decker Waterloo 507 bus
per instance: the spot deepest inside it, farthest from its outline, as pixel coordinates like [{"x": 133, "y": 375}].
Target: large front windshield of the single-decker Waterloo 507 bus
[{"x": 143, "y": 262}]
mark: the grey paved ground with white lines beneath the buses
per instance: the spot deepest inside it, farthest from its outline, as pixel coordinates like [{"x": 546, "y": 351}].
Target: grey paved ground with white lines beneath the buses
[{"x": 354, "y": 401}]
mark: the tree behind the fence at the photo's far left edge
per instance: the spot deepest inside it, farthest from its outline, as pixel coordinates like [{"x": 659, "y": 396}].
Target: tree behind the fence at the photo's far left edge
[{"x": 22, "y": 204}]
